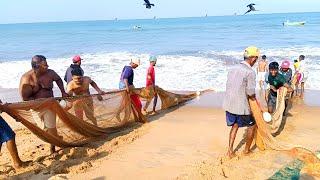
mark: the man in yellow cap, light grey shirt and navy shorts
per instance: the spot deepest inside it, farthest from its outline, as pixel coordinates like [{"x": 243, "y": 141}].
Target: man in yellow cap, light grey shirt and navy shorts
[{"x": 240, "y": 86}]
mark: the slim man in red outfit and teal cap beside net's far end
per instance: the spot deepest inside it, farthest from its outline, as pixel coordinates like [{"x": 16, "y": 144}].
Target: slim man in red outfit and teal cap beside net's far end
[{"x": 151, "y": 86}]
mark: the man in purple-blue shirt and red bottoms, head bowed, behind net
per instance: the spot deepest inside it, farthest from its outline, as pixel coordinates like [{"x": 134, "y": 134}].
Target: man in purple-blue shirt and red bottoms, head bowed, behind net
[{"x": 126, "y": 82}]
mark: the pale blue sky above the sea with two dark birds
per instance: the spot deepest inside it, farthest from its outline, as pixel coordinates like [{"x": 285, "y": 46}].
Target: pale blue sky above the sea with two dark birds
[{"x": 26, "y": 11}]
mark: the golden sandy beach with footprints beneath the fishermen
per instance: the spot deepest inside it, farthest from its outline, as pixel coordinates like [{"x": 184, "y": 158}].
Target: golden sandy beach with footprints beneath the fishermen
[{"x": 186, "y": 142}]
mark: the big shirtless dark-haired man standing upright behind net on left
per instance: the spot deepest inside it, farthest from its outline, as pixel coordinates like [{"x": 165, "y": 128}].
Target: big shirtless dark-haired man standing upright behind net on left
[{"x": 36, "y": 84}]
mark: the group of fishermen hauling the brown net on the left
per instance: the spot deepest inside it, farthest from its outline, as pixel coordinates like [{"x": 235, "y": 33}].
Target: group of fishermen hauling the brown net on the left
[{"x": 38, "y": 82}]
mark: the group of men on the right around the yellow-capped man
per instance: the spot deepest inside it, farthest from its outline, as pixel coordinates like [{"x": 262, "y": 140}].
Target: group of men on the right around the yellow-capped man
[{"x": 241, "y": 86}]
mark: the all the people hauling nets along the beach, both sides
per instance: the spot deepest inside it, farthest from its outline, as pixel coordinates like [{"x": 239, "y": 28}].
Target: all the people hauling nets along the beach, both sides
[{"x": 37, "y": 83}]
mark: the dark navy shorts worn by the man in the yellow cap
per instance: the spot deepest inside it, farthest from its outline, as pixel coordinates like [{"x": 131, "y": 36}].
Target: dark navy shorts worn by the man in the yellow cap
[{"x": 241, "y": 120}]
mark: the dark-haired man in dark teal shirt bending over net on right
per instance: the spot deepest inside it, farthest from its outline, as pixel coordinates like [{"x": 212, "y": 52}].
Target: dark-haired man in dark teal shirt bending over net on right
[{"x": 276, "y": 81}]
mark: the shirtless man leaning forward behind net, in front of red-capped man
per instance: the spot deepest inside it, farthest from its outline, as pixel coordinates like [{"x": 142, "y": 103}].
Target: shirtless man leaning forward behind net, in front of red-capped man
[{"x": 79, "y": 86}]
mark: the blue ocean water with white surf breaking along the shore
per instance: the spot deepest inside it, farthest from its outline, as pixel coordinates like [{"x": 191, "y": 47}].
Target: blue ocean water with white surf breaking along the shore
[{"x": 193, "y": 53}]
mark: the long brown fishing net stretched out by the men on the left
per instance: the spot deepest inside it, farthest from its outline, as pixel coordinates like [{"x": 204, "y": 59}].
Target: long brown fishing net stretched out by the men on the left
[{"x": 84, "y": 118}]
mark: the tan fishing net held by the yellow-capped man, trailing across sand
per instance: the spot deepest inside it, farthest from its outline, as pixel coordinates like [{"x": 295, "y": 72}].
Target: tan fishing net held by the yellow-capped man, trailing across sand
[{"x": 265, "y": 140}]
